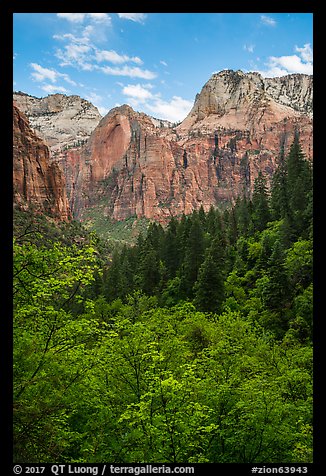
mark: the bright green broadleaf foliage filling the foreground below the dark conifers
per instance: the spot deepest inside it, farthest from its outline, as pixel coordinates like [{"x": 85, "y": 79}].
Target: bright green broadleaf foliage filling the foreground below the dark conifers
[{"x": 135, "y": 382}]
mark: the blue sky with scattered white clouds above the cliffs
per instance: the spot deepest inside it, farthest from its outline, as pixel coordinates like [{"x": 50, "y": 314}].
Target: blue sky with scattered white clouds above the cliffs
[{"x": 156, "y": 62}]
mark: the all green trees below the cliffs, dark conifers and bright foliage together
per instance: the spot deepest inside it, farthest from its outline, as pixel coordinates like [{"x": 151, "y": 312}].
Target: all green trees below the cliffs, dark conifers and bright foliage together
[{"x": 194, "y": 345}]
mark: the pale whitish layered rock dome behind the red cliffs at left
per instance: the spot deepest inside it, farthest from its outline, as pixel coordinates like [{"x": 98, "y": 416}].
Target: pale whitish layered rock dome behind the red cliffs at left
[{"x": 61, "y": 121}]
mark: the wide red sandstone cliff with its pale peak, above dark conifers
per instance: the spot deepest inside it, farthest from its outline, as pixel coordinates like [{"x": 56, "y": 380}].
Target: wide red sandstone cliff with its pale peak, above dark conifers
[{"x": 239, "y": 122}]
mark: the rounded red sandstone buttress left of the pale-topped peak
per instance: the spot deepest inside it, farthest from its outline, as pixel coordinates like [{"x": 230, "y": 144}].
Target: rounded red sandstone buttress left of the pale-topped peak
[{"x": 127, "y": 165}]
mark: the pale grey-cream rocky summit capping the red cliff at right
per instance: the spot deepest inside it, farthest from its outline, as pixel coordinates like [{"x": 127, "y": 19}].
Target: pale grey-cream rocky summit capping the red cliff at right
[{"x": 234, "y": 93}]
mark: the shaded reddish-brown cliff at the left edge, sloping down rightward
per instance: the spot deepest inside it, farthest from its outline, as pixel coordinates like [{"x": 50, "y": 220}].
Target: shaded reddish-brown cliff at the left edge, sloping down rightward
[{"x": 37, "y": 183}]
